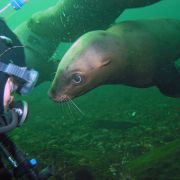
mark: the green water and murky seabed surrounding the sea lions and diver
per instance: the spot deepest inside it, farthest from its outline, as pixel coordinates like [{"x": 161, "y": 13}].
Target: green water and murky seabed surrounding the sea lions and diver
[{"x": 124, "y": 133}]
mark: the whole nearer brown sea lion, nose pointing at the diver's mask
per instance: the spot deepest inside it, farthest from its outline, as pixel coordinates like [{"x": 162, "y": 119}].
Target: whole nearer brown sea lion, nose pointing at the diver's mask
[{"x": 134, "y": 53}]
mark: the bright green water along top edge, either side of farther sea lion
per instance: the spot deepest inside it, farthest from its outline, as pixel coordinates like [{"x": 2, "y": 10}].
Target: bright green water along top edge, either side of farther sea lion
[{"x": 166, "y": 8}]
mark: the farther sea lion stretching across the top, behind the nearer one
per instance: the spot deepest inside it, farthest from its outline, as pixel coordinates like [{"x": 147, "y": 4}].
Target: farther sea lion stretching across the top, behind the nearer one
[{"x": 62, "y": 18}]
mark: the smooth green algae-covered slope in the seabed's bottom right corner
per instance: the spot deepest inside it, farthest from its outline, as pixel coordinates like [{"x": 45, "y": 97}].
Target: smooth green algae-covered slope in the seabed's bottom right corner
[{"x": 160, "y": 163}]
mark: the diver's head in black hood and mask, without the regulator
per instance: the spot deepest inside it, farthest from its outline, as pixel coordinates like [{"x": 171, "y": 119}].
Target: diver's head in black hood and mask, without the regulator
[{"x": 14, "y": 75}]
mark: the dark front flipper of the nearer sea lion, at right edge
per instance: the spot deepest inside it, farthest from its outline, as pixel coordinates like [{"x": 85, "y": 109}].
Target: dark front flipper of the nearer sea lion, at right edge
[{"x": 168, "y": 80}]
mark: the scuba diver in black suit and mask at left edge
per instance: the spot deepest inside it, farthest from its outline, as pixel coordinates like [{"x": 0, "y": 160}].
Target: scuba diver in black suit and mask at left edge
[{"x": 15, "y": 77}]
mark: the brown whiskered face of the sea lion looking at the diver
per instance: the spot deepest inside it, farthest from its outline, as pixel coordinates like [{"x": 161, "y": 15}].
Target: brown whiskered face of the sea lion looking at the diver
[{"x": 80, "y": 70}]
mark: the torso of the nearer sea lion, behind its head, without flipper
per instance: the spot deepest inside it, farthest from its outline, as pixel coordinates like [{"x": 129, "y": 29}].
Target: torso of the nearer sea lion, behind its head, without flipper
[{"x": 147, "y": 47}]
